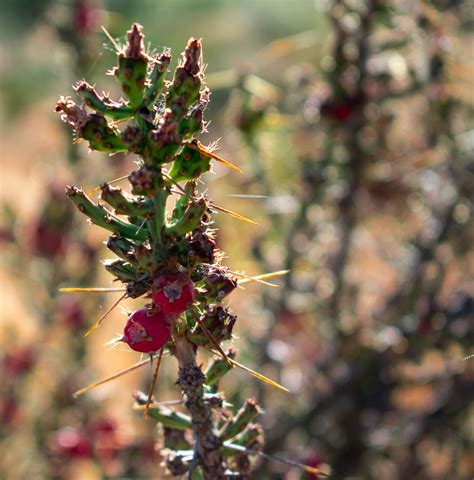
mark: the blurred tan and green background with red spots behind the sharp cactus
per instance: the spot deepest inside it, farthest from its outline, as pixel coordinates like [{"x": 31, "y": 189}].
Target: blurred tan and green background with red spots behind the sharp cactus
[{"x": 352, "y": 121}]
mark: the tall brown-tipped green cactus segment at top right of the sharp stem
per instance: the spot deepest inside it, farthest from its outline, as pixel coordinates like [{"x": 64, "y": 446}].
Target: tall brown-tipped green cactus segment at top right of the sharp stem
[{"x": 184, "y": 89}]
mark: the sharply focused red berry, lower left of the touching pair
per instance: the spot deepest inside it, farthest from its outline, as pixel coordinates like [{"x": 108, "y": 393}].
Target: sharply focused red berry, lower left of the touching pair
[{"x": 146, "y": 332}]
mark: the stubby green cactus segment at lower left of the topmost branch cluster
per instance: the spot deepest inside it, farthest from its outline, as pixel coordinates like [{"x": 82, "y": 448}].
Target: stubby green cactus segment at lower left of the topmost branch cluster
[{"x": 102, "y": 136}]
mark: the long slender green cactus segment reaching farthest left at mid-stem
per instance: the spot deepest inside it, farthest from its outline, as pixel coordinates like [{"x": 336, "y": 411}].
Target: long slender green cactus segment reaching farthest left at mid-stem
[{"x": 103, "y": 218}]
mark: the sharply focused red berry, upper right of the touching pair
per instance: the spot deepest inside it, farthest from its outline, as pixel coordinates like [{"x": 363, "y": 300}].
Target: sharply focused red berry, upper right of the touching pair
[{"x": 173, "y": 292}]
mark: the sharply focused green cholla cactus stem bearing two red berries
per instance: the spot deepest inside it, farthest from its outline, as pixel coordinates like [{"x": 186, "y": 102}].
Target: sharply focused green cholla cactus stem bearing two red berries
[{"x": 172, "y": 259}]
